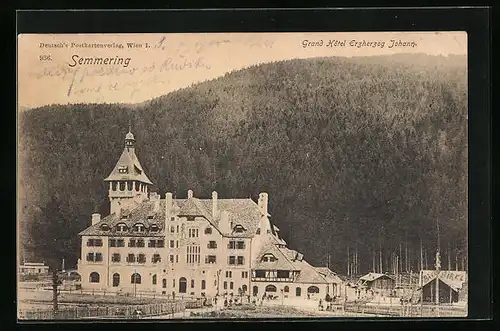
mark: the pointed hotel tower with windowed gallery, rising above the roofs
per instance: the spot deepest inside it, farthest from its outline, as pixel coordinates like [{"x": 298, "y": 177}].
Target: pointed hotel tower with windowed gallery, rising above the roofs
[{"x": 128, "y": 184}]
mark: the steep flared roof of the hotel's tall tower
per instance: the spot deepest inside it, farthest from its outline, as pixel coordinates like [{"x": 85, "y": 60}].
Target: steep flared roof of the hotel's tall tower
[{"x": 135, "y": 172}]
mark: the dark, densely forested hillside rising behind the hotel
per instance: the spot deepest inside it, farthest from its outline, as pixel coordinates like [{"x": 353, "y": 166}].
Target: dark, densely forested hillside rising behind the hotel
[{"x": 350, "y": 150}]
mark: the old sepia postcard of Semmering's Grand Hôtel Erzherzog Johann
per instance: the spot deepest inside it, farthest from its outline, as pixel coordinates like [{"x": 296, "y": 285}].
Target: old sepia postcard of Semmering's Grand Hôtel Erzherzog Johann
[{"x": 242, "y": 175}]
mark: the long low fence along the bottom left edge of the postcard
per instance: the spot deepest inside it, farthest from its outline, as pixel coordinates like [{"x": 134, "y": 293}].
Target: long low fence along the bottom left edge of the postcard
[{"x": 104, "y": 312}]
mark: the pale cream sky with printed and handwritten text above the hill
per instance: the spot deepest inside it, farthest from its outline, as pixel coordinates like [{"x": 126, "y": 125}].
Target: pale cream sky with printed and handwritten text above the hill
[{"x": 50, "y": 71}]
